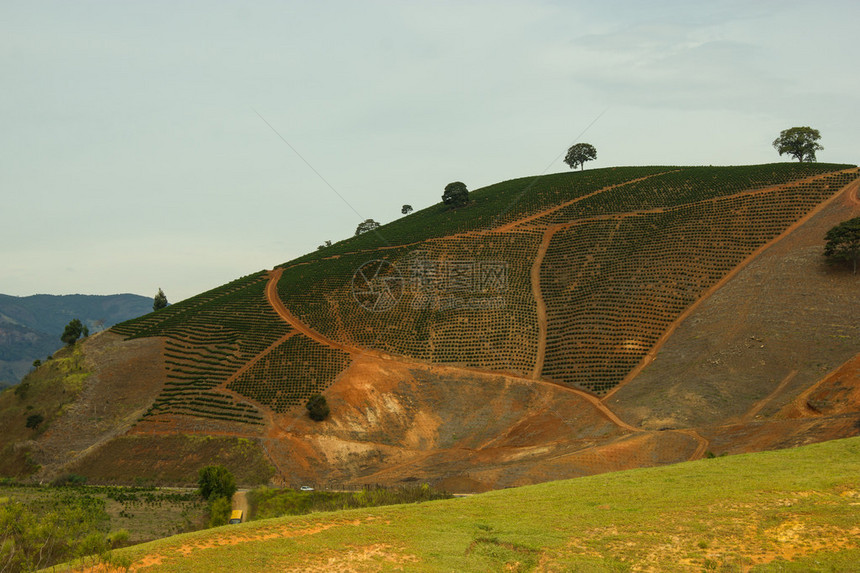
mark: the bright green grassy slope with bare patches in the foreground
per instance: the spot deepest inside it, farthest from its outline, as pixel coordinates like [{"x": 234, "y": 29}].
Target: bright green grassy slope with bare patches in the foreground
[{"x": 790, "y": 510}]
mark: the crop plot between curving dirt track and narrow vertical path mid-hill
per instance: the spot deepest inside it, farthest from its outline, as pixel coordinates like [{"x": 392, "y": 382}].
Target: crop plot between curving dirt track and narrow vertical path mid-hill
[{"x": 464, "y": 300}]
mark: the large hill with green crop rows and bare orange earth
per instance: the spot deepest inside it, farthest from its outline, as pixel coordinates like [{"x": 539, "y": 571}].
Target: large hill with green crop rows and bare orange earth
[{"x": 555, "y": 327}]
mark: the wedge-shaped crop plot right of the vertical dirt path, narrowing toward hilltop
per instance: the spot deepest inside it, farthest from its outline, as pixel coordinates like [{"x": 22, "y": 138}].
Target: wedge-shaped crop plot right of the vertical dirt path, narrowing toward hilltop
[{"x": 613, "y": 286}]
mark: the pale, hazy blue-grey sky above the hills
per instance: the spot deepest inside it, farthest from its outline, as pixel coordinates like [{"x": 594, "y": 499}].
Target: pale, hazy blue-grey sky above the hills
[{"x": 180, "y": 145}]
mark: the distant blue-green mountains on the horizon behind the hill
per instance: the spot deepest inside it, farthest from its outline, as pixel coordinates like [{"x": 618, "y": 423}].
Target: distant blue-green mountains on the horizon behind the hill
[{"x": 30, "y": 326}]
